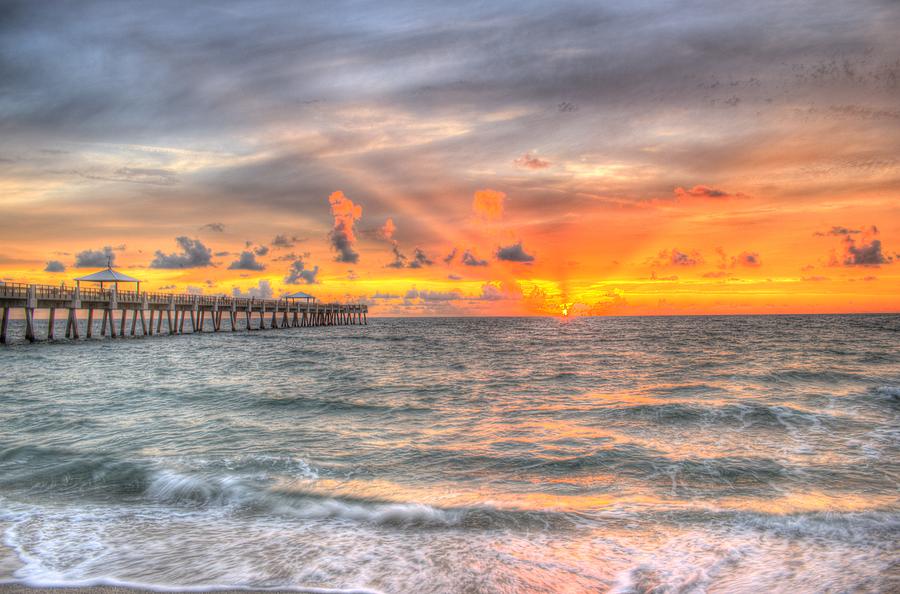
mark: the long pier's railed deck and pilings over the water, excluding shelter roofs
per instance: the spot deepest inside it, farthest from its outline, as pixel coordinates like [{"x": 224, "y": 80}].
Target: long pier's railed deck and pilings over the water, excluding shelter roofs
[{"x": 164, "y": 313}]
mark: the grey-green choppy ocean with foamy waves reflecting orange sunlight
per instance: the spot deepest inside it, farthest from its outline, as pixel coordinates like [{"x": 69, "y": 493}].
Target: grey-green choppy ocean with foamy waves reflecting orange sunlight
[{"x": 627, "y": 455}]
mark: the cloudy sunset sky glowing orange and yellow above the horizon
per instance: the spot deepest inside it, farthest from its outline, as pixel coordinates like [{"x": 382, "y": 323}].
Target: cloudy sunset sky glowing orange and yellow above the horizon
[{"x": 464, "y": 158}]
